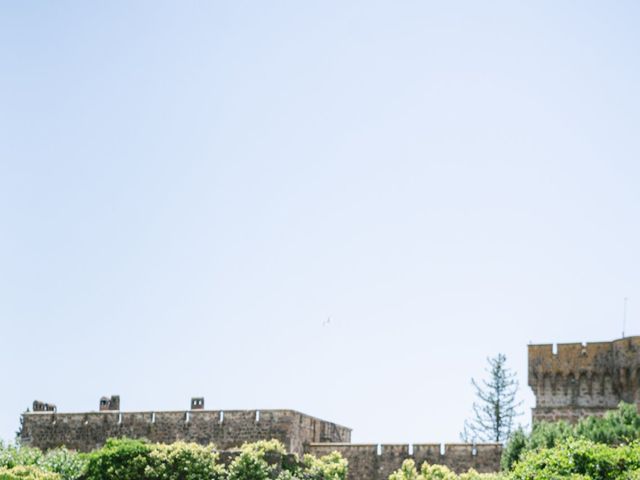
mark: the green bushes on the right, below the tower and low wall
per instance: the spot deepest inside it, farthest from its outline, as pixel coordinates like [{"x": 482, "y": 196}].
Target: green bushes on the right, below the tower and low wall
[{"x": 596, "y": 448}]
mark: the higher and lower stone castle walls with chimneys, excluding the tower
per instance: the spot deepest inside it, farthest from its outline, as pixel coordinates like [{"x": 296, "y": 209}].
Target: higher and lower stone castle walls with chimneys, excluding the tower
[{"x": 228, "y": 429}]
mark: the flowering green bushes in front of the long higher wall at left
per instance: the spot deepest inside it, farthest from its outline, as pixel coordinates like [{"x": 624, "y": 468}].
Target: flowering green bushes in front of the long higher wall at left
[{"x": 126, "y": 459}]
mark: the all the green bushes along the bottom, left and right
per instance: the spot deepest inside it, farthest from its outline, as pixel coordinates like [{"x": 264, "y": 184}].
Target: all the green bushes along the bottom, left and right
[{"x": 606, "y": 448}]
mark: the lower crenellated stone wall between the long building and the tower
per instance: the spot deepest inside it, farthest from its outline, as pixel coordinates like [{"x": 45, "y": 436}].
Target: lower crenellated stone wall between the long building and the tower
[{"x": 377, "y": 462}]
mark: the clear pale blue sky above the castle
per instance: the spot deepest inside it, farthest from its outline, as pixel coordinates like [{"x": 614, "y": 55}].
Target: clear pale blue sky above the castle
[{"x": 341, "y": 208}]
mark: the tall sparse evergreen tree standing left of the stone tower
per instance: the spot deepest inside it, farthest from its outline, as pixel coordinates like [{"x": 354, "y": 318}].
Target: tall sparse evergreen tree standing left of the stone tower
[{"x": 495, "y": 408}]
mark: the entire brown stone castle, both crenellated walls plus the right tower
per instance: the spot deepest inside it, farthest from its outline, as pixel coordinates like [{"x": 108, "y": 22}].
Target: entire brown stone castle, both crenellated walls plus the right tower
[{"x": 571, "y": 381}]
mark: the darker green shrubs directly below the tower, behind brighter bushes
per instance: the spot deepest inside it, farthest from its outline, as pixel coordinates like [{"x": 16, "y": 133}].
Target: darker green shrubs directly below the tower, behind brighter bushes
[{"x": 620, "y": 426}]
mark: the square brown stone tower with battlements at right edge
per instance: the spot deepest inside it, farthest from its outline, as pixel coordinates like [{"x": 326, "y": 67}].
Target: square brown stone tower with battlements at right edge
[{"x": 575, "y": 380}]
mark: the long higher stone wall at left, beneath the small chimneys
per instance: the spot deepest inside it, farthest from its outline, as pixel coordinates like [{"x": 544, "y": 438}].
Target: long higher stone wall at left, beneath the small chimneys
[{"x": 225, "y": 429}]
